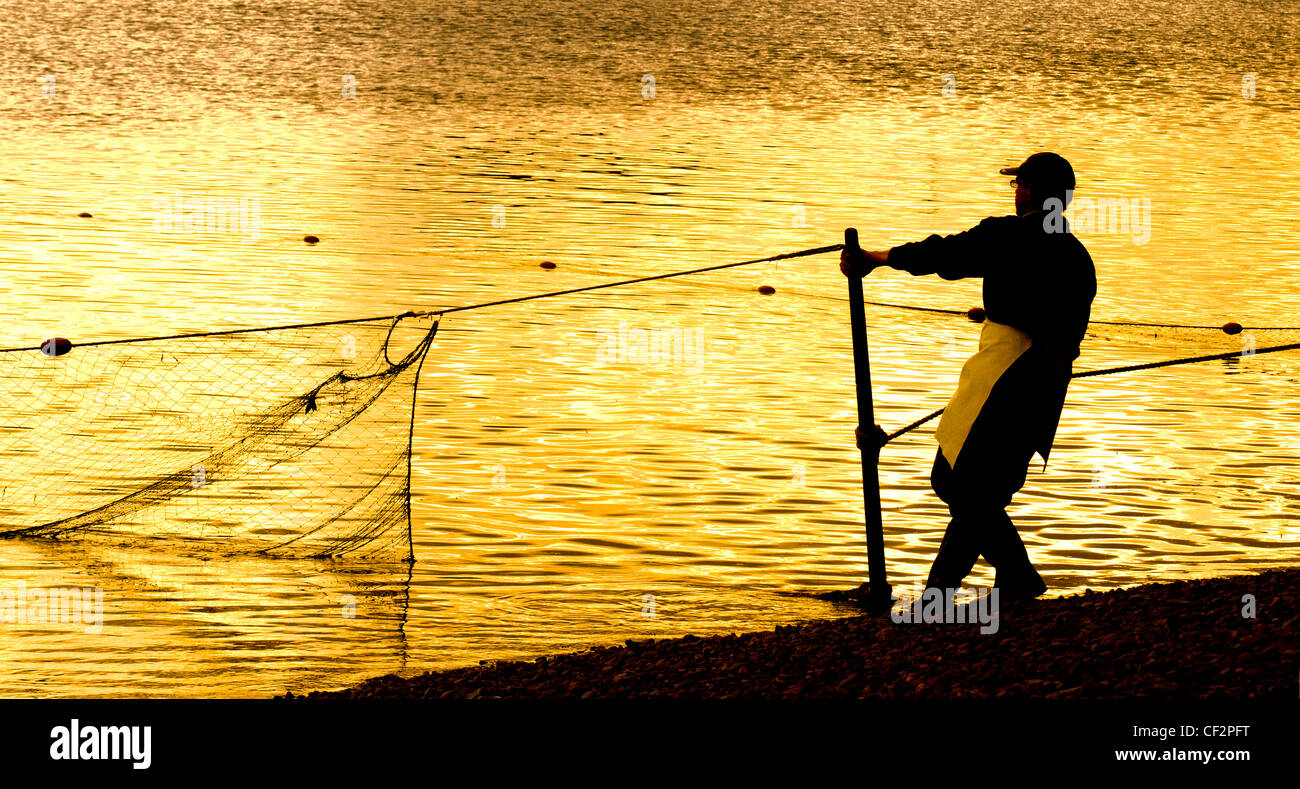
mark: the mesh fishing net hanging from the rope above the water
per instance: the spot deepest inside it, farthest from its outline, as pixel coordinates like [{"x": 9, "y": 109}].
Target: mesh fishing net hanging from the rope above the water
[{"x": 285, "y": 441}]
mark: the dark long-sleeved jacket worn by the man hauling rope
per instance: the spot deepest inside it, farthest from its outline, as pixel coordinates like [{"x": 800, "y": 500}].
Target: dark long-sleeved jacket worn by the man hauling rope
[{"x": 1039, "y": 281}]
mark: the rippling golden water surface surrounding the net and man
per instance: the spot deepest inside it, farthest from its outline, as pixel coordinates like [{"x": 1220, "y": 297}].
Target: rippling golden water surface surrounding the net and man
[{"x": 570, "y": 489}]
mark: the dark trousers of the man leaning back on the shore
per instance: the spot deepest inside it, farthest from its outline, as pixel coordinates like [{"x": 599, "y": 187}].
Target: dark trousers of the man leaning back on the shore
[{"x": 990, "y": 471}]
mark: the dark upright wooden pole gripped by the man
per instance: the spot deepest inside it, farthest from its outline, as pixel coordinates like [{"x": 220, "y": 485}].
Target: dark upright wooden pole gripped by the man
[{"x": 879, "y": 593}]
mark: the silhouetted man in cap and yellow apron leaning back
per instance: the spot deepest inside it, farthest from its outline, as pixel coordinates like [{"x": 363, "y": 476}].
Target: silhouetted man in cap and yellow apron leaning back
[{"x": 1039, "y": 284}]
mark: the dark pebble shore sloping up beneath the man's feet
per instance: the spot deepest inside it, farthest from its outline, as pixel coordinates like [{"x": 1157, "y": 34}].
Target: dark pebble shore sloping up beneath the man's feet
[{"x": 1177, "y": 640}]
